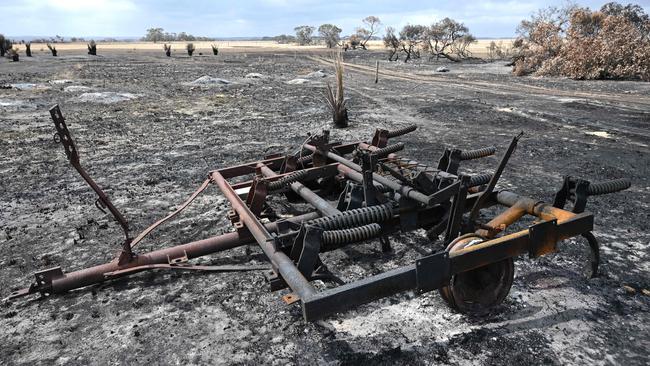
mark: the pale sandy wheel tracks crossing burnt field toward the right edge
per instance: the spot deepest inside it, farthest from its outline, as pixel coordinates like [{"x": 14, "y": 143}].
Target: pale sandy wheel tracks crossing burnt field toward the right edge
[{"x": 618, "y": 101}]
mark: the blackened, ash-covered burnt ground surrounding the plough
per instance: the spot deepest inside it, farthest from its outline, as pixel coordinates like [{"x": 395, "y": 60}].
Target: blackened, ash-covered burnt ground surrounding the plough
[{"x": 148, "y": 135}]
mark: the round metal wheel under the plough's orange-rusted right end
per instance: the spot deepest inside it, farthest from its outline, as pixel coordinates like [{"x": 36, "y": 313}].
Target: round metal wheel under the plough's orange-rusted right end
[{"x": 479, "y": 290}]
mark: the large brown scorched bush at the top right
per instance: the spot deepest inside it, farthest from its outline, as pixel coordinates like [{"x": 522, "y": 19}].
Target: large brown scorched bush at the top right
[{"x": 613, "y": 43}]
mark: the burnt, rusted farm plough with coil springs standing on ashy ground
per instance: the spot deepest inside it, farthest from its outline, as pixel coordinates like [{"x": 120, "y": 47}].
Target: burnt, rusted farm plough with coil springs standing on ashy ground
[{"x": 359, "y": 191}]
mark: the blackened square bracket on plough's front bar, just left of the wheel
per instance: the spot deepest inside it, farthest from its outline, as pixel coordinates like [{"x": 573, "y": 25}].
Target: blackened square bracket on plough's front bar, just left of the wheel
[{"x": 432, "y": 272}]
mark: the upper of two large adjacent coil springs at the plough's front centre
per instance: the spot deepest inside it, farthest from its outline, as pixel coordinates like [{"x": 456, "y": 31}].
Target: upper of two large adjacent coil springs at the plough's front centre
[{"x": 355, "y": 218}]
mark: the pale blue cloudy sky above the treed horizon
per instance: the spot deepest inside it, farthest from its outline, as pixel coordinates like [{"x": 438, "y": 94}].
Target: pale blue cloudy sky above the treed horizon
[{"x": 246, "y": 18}]
